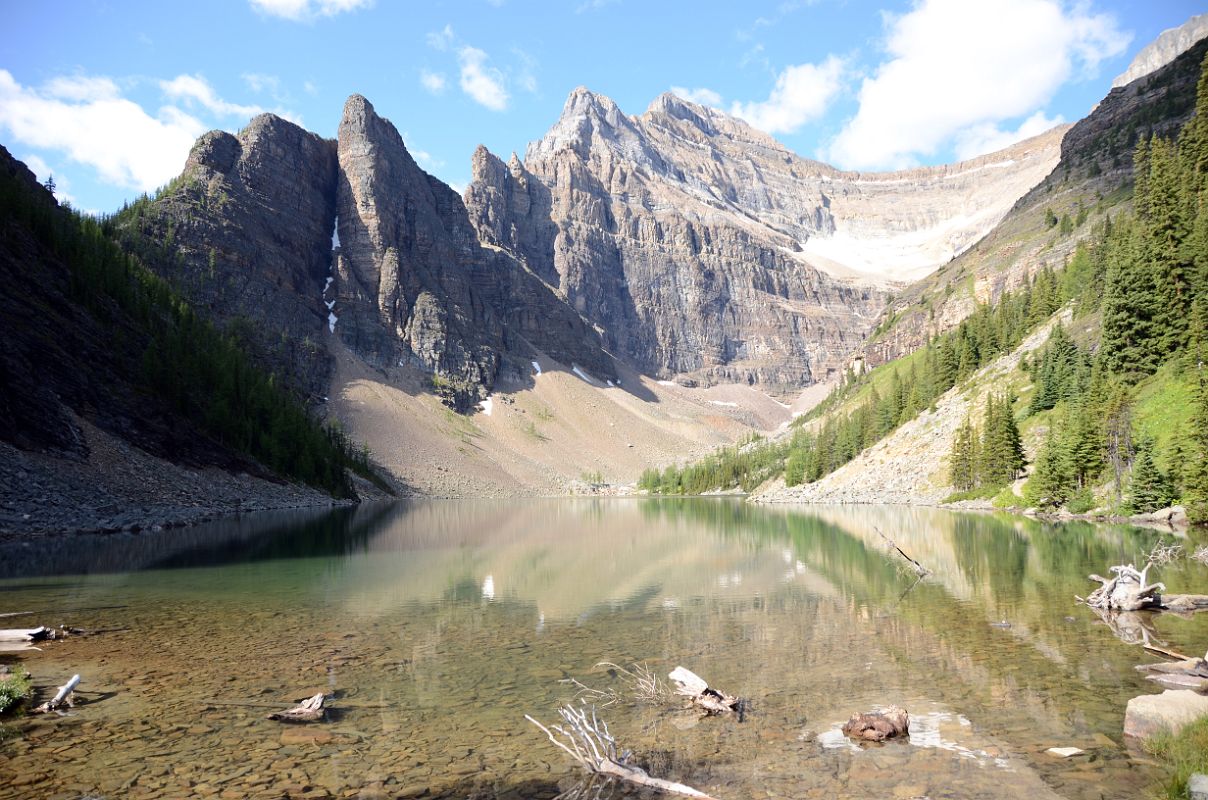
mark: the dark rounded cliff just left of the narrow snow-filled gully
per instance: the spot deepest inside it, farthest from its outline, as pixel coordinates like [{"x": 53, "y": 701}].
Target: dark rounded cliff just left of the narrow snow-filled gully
[{"x": 246, "y": 234}]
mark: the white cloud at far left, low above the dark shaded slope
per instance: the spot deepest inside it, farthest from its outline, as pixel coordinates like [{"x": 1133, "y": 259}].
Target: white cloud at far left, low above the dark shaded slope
[{"x": 113, "y": 135}]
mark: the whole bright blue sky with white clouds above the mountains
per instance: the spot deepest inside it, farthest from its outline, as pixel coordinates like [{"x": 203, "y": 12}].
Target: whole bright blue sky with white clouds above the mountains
[{"x": 109, "y": 95}]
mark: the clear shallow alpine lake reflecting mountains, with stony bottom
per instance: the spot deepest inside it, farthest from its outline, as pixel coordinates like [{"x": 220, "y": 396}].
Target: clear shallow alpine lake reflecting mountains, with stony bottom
[{"x": 437, "y": 627}]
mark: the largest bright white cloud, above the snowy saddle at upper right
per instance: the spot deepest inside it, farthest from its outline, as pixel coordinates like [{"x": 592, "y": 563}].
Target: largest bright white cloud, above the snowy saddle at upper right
[{"x": 959, "y": 69}]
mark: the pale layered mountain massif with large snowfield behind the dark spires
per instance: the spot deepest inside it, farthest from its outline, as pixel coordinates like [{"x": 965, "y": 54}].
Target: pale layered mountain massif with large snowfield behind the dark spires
[{"x": 704, "y": 250}]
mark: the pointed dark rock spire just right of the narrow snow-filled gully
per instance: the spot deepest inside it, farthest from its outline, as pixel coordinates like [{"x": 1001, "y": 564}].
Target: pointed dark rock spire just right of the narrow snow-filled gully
[{"x": 414, "y": 283}]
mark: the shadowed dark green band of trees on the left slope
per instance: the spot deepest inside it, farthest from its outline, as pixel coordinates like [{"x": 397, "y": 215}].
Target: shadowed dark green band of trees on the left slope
[{"x": 202, "y": 374}]
